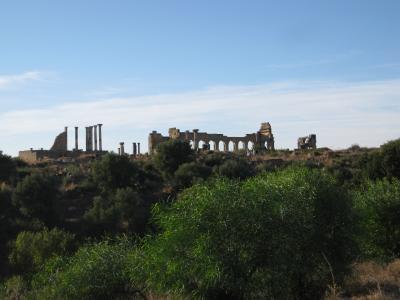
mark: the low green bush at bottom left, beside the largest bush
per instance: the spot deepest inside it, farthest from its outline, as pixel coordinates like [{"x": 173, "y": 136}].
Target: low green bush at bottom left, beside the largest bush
[{"x": 95, "y": 271}]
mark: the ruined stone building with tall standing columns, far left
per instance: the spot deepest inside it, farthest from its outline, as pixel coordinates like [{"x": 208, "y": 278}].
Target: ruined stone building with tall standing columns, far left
[{"x": 60, "y": 147}]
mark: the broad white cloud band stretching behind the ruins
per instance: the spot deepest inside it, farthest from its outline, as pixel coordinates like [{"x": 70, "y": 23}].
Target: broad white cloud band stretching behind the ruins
[{"x": 340, "y": 114}]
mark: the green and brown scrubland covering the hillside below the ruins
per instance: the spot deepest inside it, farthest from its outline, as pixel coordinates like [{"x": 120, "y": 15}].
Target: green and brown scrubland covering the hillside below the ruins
[{"x": 312, "y": 224}]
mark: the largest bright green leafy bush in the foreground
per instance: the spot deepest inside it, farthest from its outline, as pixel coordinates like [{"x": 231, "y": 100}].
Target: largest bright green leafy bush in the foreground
[{"x": 268, "y": 237}]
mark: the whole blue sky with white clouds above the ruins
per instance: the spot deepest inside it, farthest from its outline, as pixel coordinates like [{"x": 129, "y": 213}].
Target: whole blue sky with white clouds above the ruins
[{"x": 326, "y": 67}]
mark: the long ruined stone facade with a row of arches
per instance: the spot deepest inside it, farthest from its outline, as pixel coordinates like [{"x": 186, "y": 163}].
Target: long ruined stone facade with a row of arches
[{"x": 263, "y": 139}]
